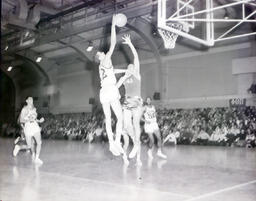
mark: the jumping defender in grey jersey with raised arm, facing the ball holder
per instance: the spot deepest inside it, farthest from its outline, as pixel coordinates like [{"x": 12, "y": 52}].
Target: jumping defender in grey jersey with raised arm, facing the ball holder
[{"x": 132, "y": 108}]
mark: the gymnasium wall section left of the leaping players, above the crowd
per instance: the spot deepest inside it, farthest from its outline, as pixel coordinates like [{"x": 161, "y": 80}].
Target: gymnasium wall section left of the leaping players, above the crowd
[{"x": 74, "y": 85}]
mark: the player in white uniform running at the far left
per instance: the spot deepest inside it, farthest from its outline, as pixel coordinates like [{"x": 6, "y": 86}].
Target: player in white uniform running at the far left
[{"x": 28, "y": 117}]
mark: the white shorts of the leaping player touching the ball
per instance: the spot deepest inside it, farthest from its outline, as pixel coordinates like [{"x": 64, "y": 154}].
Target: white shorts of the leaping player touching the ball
[{"x": 109, "y": 94}]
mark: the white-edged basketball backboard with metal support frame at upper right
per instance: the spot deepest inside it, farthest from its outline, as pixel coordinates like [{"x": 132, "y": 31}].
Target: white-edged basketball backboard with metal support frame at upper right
[{"x": 203, "y": 16}]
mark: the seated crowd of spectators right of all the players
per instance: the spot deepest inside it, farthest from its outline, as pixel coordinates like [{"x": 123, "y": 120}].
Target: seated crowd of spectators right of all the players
[{"x": 209, "y": 126}]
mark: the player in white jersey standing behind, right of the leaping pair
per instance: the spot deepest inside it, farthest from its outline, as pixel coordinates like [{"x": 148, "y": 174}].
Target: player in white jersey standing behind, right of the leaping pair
[{"x": 151, "y": 128}]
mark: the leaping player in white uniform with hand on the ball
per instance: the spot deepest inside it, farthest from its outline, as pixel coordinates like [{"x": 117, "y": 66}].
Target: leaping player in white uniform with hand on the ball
[{"x": 109, "y": 94}]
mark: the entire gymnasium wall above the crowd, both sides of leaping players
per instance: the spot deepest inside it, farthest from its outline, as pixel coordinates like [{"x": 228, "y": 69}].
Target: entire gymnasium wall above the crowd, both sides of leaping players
[{"x": 191, "y": 79}]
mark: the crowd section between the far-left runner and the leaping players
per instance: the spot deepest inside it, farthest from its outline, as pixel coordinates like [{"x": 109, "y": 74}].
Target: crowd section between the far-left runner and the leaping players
[{"x": 74, "y": 126}]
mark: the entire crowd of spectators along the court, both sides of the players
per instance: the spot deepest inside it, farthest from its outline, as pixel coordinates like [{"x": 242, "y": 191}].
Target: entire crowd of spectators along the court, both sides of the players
[{"x": 205, "y": 126}]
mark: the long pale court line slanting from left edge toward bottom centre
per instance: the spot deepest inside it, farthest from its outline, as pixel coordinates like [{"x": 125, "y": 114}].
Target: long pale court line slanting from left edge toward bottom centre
[{"x": 110, "y": 183}]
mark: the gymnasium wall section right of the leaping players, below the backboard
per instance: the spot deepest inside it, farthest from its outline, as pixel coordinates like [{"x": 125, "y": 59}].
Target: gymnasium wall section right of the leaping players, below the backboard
[{"x": 199, "y": 79}]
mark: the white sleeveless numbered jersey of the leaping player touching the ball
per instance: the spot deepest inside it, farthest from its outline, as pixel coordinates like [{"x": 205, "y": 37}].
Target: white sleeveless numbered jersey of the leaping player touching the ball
[{"x": 107, "y": 76}]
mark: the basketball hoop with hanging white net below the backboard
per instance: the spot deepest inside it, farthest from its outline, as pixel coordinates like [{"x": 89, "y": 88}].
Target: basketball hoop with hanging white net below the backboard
[{"x": 169, "y": 37}]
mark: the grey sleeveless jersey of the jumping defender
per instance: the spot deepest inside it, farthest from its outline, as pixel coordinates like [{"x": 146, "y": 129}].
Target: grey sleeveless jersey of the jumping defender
[{"x": 132, "y": 87}]
